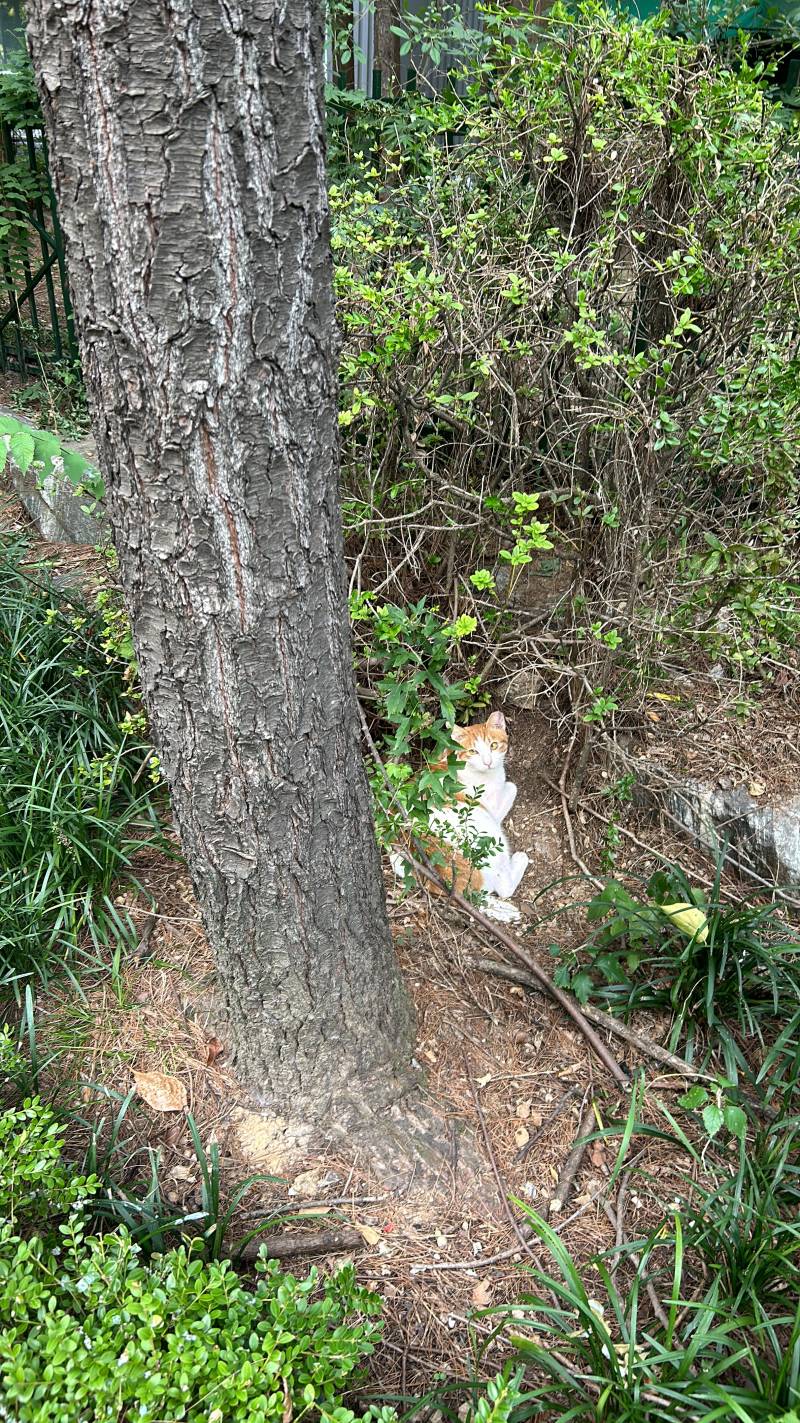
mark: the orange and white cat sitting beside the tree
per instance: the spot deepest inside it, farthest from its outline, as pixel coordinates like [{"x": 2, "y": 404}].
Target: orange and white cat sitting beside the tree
[{"x": 482, "y": 752}]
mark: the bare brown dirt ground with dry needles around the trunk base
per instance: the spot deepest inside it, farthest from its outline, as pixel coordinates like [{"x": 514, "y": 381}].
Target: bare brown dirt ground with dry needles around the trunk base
[{"x": 506, "y": 1068}]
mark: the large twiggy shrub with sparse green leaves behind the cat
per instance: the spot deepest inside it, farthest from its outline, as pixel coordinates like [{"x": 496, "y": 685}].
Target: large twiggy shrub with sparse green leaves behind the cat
[{"x": 589, "y": 298}]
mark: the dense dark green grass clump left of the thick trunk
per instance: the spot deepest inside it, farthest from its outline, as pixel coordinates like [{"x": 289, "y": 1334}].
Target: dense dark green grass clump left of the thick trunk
[{"x": 76, "y": 802}]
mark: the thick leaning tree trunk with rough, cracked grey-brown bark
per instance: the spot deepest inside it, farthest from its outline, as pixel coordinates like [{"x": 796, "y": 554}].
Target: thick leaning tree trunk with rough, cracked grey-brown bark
[{"x": 189, "y": 163}]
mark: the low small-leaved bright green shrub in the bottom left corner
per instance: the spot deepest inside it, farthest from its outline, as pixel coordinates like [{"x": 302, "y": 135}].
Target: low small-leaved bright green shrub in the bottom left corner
[{"x": 92, "y": 1331}]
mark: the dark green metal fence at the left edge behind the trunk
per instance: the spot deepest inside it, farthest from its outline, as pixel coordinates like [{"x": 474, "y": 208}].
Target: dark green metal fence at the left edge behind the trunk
[{"x": 36, "y": 312}]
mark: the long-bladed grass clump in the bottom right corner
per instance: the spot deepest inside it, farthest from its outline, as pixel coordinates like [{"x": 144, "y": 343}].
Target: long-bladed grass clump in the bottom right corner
[{"x": 601, "y": 1353}]
